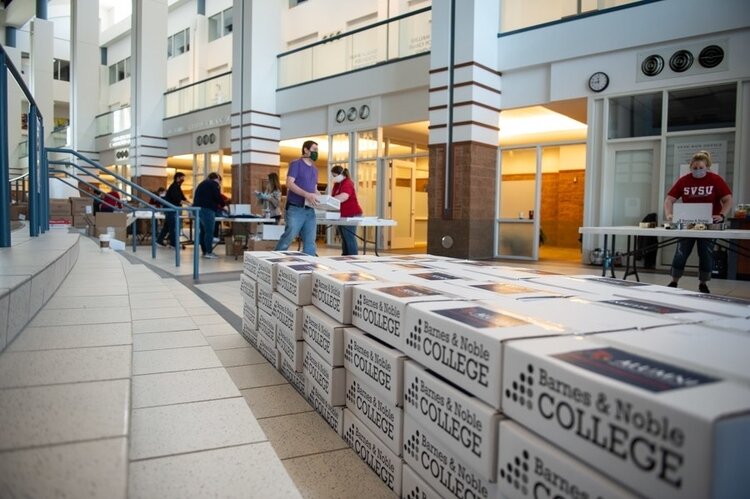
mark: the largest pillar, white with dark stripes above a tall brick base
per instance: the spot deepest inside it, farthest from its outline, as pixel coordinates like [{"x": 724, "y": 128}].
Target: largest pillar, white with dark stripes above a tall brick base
[{"x": 464, "y": 113}]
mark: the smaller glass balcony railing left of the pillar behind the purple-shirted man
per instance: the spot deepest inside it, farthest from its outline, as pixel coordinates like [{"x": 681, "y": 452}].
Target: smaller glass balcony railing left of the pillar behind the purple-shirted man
[{"x": 202, "y": 94}]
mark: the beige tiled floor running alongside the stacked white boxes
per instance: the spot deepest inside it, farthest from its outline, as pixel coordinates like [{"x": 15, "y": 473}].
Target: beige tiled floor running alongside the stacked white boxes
[{"x": 133, "y": 381}]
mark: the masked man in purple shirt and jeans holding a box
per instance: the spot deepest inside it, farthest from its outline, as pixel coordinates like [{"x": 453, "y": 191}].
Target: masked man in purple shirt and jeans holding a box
[{"x": 301, "y": 185}]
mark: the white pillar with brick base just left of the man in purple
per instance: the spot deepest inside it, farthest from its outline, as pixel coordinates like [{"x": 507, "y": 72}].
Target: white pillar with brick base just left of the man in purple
[{"x": 255, "y": 124}]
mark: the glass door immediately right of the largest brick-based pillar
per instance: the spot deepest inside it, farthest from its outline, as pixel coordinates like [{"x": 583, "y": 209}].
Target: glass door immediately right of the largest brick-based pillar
[{"x": 519, "y": 188}]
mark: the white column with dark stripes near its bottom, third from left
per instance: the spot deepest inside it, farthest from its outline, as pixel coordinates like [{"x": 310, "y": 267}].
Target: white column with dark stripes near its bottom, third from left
[{"x": 148, "y": 74}]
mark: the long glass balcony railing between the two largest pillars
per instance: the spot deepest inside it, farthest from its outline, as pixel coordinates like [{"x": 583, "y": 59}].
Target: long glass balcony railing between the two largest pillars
[{"x": 397, "y": 38}]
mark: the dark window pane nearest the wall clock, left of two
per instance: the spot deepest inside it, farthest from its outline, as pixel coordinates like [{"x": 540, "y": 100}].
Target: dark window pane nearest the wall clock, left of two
[{"x": 635, "y": 116}]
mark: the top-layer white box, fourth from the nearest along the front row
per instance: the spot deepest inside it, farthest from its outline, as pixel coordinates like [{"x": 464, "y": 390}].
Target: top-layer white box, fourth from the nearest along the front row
[{"x": 332, "y": 292}]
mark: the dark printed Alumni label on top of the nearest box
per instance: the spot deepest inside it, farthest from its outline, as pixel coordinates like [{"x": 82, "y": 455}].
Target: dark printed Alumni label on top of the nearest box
[{"x": 635, "y": 370}]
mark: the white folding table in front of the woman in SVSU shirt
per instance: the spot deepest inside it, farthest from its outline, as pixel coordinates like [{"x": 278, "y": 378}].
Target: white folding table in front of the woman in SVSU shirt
[{"x": 727, "y": 237}]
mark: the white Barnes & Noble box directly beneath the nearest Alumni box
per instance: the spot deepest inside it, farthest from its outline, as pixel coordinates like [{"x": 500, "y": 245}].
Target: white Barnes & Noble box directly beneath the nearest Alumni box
[{"x": 529, "y": 466}]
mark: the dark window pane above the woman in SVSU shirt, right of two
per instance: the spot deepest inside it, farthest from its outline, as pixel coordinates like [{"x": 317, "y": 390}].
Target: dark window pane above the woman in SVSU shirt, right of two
[{"x": 702, "y": 108}]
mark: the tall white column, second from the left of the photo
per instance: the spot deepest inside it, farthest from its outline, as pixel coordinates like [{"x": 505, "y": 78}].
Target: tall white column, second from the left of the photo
[{"x": 85, "y": 69}]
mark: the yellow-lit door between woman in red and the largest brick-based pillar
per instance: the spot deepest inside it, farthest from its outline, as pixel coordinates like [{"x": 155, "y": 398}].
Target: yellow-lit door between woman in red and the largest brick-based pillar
[{"x": 401, "y": 202}]
